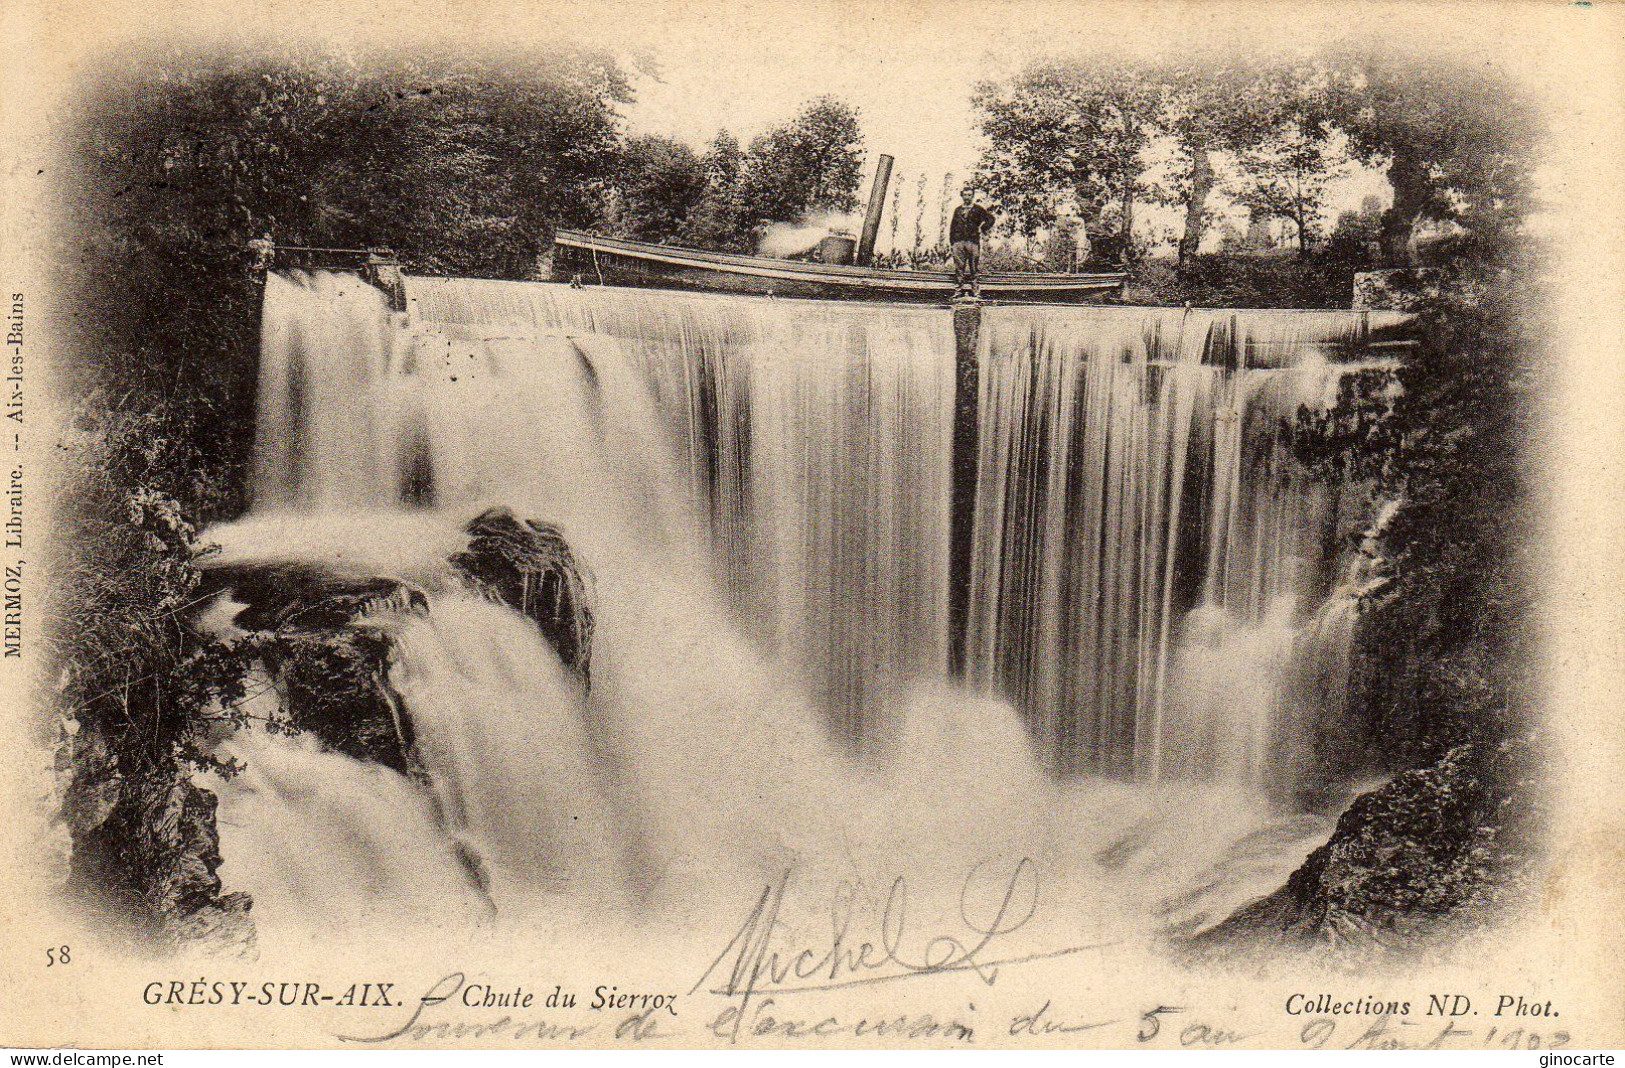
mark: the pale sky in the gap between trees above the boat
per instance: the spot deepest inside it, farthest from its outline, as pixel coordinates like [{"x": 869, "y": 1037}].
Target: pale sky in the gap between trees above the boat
[{"x": 911, "y": 80}]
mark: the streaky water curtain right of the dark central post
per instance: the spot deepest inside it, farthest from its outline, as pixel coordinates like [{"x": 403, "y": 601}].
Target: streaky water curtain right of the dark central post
[{"x": 1145, "y": 545}]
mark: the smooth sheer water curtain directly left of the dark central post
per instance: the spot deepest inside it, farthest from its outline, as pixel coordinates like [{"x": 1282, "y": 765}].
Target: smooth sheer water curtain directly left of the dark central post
[{"x": 817, "y": 436}]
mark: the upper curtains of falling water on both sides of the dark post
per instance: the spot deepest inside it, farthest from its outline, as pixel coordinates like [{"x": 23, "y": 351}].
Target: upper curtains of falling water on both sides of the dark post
[{"x": 1146, "y": 552}]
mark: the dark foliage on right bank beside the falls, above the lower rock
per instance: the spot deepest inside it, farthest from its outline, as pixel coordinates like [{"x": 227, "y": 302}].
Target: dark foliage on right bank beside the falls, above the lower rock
[{"x": 1444, "y": 651}]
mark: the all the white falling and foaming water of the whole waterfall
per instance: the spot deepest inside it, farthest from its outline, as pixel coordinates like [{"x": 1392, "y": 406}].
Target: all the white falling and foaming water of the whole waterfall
[{"x": 761, "y": 493}]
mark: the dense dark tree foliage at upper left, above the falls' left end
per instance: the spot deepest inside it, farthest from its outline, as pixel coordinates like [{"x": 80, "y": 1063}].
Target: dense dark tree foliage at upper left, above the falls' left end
[{"x": 457, "y": 165}]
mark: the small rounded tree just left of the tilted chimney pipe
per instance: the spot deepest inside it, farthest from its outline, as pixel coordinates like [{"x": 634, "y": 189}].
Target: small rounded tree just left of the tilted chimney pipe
[{"x": 812, "y": 163}]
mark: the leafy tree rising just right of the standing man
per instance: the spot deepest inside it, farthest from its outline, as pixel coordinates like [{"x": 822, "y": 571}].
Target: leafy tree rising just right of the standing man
[{"x": 1065, "y": 132}]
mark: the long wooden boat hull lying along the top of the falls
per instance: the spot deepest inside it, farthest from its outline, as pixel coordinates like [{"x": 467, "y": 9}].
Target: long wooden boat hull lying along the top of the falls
[{"x": 589, "y": 259}]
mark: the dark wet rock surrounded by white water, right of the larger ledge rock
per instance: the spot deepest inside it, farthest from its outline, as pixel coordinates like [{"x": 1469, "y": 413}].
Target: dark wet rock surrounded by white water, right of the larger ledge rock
[{"x": 529, "y": 567}]
